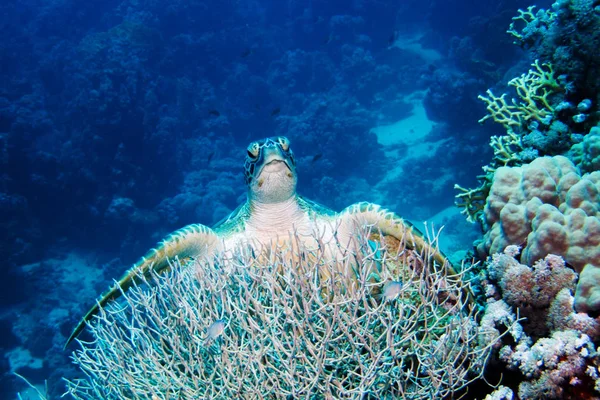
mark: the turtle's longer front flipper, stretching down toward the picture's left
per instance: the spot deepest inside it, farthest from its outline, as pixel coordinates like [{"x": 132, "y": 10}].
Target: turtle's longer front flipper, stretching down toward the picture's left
[{"x": 191, "y": 241}]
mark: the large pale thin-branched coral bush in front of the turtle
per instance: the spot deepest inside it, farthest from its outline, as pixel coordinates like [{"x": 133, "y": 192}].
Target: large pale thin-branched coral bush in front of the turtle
[{"x": 382, "y": 323}]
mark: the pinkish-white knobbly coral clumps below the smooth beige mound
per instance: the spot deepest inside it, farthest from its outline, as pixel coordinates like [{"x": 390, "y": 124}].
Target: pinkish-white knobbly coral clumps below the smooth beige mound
[{"x": 553, "y": 347}]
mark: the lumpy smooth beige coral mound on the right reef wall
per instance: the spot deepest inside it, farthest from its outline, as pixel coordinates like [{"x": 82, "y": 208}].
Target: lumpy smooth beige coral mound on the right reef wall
[{"x": 548, "y": 208}]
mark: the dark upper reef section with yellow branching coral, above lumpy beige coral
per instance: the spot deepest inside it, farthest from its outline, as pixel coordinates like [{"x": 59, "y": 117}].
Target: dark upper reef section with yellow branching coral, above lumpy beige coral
[{"x": 557, "y": 99}]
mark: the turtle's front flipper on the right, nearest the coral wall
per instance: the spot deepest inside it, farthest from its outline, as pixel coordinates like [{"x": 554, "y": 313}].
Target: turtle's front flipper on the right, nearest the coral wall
[{"x": 391, "y": 224}]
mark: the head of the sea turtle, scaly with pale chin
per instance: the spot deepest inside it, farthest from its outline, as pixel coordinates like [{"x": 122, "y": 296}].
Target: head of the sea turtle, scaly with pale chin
[{"x": 270, "y": 170}]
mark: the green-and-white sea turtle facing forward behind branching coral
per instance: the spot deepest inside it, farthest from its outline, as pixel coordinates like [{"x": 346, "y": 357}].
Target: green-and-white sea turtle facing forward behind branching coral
[{"x": 272, "y": 214}]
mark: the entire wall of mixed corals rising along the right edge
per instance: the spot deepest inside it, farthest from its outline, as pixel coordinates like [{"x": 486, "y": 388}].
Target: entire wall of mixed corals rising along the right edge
[{"x": 542, "y": 209}]
